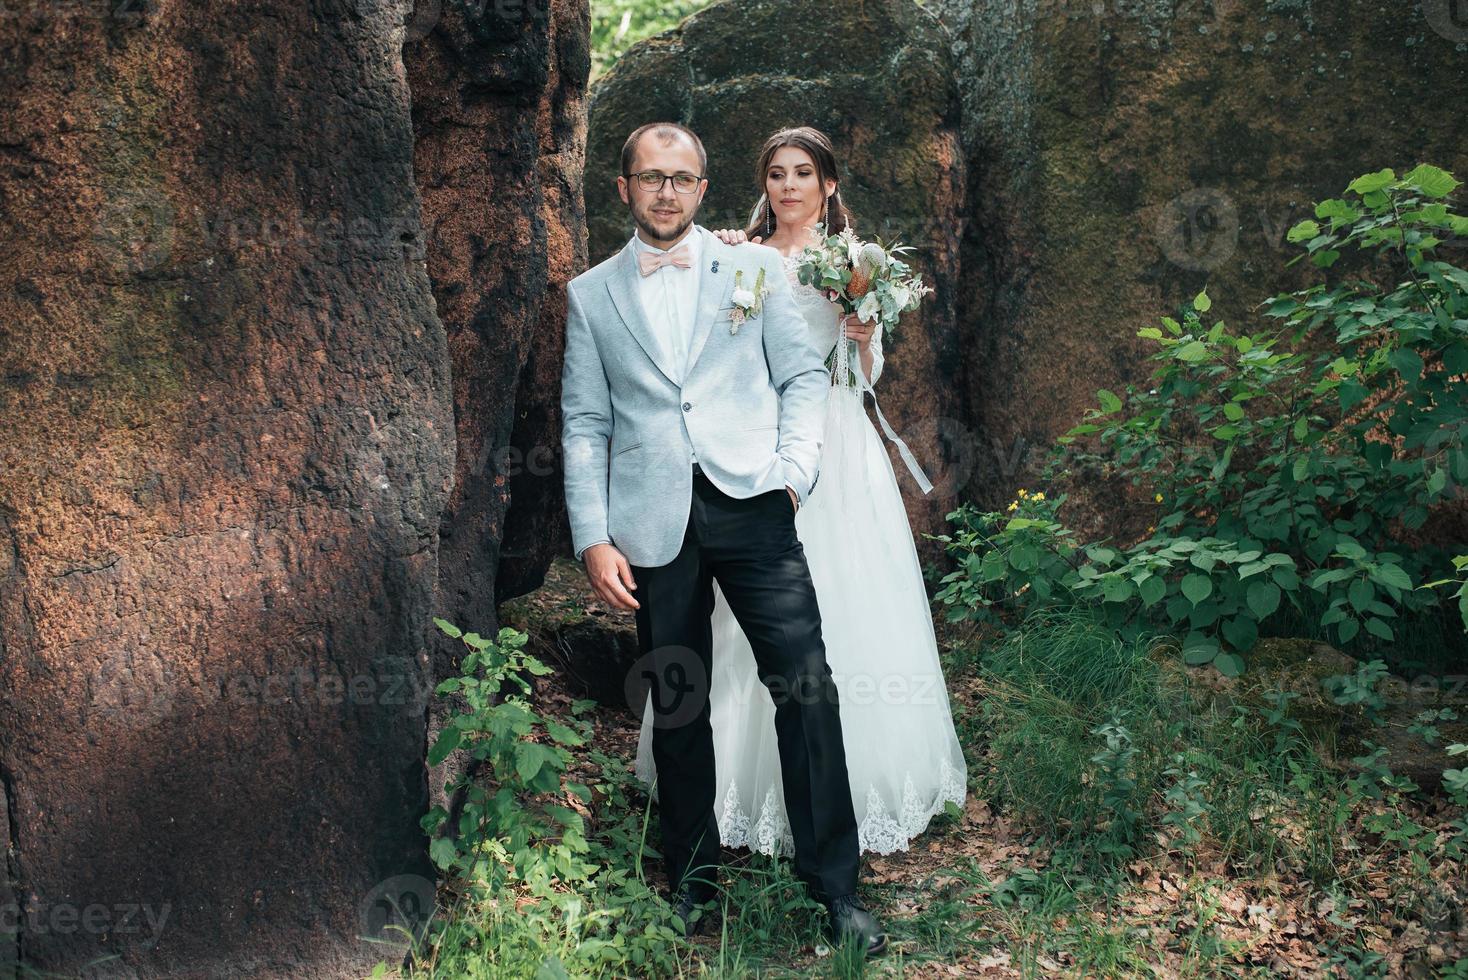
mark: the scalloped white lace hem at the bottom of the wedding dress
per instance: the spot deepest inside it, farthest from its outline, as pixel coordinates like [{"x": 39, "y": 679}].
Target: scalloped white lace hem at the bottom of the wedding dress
[{"x": 880, "y": 831}]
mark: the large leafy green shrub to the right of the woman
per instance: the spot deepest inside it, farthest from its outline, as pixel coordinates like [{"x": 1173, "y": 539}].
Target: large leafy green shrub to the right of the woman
[{"x": 1284, "y": 461}]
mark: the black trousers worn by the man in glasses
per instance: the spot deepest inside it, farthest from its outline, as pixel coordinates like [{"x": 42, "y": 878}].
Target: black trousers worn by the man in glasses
[{"x": 751, "y": 548}]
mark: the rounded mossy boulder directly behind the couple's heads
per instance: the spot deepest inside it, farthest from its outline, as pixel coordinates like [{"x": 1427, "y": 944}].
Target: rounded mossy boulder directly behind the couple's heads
[{"x": 876, "y": 77}]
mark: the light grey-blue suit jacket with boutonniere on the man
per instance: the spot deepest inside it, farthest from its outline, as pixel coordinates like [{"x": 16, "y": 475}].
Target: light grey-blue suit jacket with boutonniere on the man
[{"x": 752, "y": 404}]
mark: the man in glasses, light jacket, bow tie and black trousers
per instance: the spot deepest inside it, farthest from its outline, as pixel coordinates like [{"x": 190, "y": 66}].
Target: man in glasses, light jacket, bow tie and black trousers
[{"x": 694, "y": 407}]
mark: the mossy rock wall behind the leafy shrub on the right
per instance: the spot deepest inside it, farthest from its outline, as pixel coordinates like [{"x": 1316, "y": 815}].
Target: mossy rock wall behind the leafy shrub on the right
[{"x": 1125, "y": 156}]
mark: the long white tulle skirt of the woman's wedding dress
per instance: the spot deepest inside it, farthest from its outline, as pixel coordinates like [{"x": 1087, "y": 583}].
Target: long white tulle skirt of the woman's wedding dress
[{"x": 902, "y": 750}]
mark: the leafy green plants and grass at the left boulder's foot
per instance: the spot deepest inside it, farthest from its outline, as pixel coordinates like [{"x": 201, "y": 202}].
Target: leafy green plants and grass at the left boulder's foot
[{"x": 537, "y": 890}]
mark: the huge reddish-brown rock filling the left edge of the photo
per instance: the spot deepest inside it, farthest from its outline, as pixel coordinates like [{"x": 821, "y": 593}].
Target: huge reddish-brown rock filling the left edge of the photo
[{"x": 228, "y": 445}]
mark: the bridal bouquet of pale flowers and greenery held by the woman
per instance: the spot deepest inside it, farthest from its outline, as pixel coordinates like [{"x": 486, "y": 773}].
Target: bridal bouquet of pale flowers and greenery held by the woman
[{"x": 862, "y": 278}]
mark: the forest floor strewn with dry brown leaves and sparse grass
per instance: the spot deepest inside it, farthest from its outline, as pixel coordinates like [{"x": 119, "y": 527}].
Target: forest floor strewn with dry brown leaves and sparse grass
[{"x": 990, "y": 894}]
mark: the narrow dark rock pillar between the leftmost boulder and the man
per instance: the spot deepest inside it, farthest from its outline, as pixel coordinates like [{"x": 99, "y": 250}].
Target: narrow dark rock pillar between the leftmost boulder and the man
[{"x": 500, "y": 122}]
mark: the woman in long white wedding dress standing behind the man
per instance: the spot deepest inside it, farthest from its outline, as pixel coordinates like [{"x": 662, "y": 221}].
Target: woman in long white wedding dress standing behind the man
[{"x": 902, "y": 752}]
